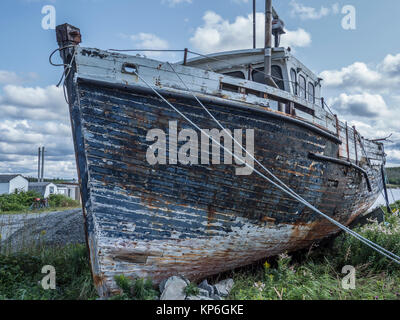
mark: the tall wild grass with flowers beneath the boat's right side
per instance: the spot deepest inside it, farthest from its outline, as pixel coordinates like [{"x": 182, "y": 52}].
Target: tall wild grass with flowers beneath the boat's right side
[{"x": 317, "y": 274}]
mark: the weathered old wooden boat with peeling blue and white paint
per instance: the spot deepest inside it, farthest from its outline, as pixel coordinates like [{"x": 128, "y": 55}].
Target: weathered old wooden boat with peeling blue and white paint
[{"x": 154, "y": 220}]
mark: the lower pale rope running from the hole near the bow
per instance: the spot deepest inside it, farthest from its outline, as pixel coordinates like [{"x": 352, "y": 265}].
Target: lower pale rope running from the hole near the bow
[{"x": 367, "y": 242}]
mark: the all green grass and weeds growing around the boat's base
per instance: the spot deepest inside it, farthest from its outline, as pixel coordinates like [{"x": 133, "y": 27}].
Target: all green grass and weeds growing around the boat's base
[{"x": 315, "y": 273}]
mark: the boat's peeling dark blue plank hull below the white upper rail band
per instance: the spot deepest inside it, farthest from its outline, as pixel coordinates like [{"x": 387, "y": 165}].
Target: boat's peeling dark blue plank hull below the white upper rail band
[{"x": 154, "y": 221}]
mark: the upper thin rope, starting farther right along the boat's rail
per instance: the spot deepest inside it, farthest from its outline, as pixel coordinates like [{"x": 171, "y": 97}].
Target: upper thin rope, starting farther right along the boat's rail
[{"x": 289, "y": 190}]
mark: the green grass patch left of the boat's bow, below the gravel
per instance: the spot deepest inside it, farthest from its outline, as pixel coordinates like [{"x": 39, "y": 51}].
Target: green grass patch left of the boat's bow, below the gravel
[{"x": 20, "y": 275}]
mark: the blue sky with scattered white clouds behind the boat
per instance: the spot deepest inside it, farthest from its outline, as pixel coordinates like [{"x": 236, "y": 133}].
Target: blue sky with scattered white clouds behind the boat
[{"x": 359, "y": 60}]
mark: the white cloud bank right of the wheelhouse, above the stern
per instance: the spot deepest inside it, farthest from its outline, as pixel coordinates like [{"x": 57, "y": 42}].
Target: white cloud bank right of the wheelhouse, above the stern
[{"x": 369, "y": 99}]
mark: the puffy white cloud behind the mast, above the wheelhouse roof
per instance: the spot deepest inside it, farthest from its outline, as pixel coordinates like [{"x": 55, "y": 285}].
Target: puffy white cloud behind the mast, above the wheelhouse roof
[{"x": 218, "y": 34}]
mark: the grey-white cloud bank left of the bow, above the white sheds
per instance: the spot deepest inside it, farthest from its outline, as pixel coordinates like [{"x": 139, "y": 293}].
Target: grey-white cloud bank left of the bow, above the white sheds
[{"x": 32, "y": 117}]
